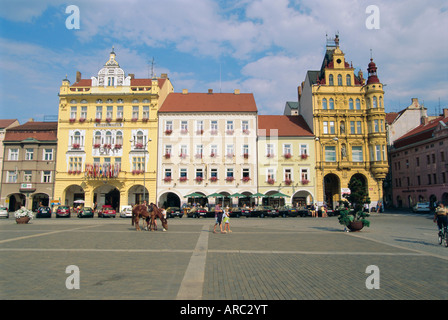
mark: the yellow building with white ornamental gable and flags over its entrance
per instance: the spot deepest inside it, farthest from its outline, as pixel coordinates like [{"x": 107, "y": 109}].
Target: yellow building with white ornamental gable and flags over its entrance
[{"x": 107, "y": 138}]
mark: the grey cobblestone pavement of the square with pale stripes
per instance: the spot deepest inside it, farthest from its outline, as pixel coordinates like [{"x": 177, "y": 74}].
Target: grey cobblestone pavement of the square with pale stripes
[{"x": 262, "y": 259}]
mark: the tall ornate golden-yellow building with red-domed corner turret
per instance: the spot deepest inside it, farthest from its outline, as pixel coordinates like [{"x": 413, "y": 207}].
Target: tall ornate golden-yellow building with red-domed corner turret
[{"x": 348, "y": 119}]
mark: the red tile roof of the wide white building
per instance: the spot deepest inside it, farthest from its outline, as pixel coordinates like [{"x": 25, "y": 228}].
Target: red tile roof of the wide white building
[{"x": 209, "y": 102}]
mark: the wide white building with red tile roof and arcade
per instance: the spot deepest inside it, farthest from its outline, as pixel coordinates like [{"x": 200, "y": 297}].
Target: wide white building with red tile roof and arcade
[{"x": 207, "y": 144}]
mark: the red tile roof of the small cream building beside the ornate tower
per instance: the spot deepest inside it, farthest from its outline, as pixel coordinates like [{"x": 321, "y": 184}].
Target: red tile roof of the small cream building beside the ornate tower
[{"x": 288, "y": 126}]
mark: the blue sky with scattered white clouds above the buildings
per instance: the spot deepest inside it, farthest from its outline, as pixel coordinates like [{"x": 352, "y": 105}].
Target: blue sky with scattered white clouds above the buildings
[{"x": 260, "y": 46}]
